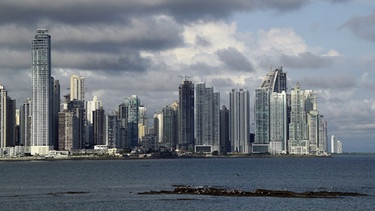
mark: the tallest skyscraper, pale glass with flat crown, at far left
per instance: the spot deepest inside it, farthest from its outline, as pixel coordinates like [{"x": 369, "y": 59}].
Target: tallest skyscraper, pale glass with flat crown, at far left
[{"x": 41, "y": 93}]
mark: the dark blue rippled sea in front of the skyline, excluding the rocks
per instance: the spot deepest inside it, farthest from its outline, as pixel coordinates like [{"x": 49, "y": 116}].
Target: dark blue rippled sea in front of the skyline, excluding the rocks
[{"x": 115, "y": 184}]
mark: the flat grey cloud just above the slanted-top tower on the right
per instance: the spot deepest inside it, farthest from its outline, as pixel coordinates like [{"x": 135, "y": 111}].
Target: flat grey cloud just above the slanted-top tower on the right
[{"x": 304, "y": 61}]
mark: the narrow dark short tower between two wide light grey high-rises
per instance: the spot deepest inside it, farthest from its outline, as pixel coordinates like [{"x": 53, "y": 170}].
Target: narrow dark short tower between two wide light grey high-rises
[{"x": 224, "y": 130}]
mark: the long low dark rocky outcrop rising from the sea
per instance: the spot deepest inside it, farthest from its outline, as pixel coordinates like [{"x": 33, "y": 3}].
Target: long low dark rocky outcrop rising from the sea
[{"x": 206, "y": 190}]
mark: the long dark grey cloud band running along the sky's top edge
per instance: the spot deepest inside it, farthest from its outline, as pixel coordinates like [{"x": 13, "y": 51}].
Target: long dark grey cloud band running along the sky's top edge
[{"x": 94, "y": 11}]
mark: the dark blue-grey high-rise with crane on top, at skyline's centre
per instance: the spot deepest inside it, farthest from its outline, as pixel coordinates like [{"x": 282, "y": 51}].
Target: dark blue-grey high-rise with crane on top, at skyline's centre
[{"x": 186, "y": 116}]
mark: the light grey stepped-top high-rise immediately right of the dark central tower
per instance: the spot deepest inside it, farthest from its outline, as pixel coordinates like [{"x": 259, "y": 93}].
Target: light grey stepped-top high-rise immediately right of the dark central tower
[{"x": 207, "y": 118}]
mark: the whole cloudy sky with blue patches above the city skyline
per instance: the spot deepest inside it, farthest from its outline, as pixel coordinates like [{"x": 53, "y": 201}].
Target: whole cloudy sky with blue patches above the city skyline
[{"x": 143, "y": 47}]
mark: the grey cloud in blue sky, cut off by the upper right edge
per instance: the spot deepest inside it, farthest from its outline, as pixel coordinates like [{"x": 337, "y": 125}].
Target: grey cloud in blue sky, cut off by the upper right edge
[{"x": 362, "y": 26}]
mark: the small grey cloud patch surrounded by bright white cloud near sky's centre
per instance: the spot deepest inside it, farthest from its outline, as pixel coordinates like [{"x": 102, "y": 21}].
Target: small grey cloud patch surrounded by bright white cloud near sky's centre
[{"x": 234, "y": 59}]
